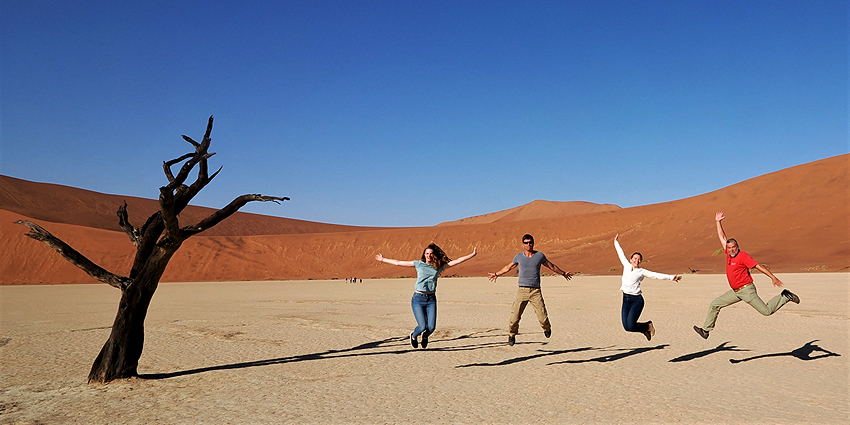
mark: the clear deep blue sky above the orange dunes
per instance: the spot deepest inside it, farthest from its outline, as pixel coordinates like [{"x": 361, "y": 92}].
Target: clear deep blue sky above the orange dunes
[{"x": 410, "y": 113}]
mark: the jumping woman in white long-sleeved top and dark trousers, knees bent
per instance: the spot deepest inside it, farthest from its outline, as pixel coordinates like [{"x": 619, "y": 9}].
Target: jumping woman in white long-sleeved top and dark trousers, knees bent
[{"x": 632, "y": 298}]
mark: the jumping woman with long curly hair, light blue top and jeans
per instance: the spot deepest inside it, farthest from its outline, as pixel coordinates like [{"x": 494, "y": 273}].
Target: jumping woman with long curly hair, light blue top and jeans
[{"x": 424, "y": 301}]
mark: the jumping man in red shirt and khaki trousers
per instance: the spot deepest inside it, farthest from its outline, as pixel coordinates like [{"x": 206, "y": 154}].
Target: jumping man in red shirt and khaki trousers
[{"x": 738, "y": 265}]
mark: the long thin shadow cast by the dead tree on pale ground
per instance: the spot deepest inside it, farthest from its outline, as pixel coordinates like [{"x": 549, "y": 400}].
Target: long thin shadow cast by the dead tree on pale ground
[{"x": 389, "y": 346}]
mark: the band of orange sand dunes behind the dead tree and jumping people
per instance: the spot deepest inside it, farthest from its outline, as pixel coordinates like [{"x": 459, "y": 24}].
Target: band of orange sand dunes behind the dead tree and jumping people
[{"x": 792, "y": 220}]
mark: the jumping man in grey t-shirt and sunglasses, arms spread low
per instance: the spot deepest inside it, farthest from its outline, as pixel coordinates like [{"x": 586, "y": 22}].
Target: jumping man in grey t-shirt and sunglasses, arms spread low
[{"x": 529, "y": 262}]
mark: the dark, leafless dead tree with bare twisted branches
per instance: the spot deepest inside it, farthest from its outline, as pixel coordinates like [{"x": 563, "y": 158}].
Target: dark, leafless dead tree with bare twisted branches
[{"x": 156, "y": 242}]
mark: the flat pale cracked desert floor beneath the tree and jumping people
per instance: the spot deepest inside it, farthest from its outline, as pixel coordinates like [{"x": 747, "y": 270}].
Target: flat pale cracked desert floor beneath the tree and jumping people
[{"x": 334, "y": 352}]
